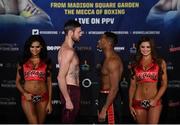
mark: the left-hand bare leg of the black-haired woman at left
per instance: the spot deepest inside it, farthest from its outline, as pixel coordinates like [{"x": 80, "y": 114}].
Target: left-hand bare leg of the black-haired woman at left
[{"x": 30, "y": 111}]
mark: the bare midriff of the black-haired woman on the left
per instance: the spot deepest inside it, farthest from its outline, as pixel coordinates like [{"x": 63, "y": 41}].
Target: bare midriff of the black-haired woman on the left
[{"x": 35, "y": 87}]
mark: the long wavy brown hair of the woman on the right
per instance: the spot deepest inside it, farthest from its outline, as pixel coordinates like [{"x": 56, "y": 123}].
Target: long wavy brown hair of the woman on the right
[{"x": 139, "y": 55}]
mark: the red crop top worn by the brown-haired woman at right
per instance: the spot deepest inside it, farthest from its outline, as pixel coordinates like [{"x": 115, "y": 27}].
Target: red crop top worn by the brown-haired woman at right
[{"x": 149, "y": 75}]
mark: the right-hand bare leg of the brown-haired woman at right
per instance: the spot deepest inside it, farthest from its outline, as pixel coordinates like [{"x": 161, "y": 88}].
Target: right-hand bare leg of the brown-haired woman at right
[{"x": 154, "y": 114}]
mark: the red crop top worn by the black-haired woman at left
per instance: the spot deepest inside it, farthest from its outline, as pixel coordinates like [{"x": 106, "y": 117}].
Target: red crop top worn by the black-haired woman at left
[{"x": 38, "y": 73}]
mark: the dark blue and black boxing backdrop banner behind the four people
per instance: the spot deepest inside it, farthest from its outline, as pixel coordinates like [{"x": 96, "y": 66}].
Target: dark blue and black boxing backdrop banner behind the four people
[{"x": 129, "y": 19}]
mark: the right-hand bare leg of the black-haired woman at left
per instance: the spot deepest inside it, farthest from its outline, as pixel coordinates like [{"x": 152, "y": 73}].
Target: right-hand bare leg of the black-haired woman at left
[{"x": 41, "y": 111}]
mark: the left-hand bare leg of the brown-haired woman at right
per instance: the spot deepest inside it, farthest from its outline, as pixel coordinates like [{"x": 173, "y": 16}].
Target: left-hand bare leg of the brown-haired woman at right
[{"x": 141, "y": 116}]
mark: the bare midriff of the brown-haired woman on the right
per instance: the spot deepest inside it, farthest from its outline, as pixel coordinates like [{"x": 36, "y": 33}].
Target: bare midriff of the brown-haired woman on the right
[{"x": 146, "y": 91}]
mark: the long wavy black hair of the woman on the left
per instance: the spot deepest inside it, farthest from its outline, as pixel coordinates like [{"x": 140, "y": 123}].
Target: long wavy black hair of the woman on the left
[{"x": 42, "y": 55}]
